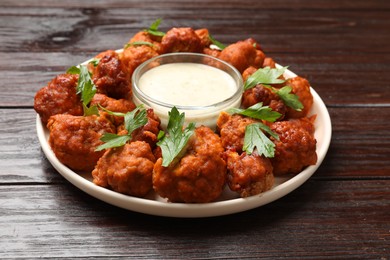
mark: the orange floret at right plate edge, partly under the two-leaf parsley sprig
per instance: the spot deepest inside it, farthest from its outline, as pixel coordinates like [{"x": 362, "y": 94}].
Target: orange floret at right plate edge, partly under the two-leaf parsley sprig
[{"x": 301, "y": 88}]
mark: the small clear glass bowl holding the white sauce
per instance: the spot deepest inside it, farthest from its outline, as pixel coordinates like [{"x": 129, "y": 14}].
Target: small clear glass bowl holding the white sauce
[{"x": 201, "y": 115}]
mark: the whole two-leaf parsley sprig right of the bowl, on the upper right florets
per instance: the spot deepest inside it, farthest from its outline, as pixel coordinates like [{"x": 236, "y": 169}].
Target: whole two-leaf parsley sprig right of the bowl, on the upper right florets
[{"x": 267, "y": 76}]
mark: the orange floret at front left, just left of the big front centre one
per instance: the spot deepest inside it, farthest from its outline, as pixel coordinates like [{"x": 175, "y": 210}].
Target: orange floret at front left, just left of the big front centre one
[{"x": 127, "y": 169}]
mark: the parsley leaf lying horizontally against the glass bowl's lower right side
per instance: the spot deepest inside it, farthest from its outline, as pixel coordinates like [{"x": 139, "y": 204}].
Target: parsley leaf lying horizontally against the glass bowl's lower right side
[{"x": 257, "y": 111}]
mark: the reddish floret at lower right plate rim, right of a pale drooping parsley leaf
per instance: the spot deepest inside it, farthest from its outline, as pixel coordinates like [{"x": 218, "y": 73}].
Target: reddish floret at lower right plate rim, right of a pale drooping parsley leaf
[{"x": 296, "y": 147}]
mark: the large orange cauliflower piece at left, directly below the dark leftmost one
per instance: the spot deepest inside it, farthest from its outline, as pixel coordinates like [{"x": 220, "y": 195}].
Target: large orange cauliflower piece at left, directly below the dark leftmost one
[{"x": 74, "y": 139}]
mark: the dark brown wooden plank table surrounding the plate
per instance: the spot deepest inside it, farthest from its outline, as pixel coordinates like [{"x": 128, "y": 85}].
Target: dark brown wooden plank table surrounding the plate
[{"x": 343, "y": 211}]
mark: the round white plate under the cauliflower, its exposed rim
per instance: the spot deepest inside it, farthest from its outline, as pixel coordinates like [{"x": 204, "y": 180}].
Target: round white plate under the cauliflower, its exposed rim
[{"x": 228, "y": 203}]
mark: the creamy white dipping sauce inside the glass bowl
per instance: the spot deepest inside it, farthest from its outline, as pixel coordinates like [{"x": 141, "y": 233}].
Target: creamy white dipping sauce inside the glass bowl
[{"x": 187, "y": 84}]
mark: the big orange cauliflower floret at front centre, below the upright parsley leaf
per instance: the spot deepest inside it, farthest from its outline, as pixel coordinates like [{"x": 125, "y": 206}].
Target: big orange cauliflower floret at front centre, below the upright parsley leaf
[{"x": 199, "y": 176}]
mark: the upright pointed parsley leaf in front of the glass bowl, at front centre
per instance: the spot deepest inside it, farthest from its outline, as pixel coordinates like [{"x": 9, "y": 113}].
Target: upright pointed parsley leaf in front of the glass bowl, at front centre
[{"x": 173, "y": 143}]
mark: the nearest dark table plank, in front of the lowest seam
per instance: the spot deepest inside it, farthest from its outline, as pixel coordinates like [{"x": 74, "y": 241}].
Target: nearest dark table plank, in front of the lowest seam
[{"x": 58, "y": 221}]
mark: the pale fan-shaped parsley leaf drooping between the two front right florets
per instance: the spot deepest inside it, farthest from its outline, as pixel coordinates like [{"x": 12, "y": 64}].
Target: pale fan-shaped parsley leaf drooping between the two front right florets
[{"x": 256, "y": 139}]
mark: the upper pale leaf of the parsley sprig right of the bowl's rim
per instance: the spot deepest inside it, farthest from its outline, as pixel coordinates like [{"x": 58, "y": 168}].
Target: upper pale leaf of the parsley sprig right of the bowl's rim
[{"x": 265, "y": 76}]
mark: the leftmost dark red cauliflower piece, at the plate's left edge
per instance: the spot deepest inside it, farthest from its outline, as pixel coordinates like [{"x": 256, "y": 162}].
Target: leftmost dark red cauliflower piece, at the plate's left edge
[{"x": 58, "y": 97}]
